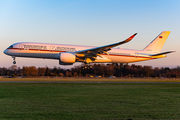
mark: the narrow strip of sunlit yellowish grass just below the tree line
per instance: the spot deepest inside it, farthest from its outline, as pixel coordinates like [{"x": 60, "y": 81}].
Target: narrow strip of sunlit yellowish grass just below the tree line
[{"x": 88, "y": 80}]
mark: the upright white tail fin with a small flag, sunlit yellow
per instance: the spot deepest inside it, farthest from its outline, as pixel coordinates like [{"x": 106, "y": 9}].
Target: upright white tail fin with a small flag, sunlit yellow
[{"x": 157, "y": 44}]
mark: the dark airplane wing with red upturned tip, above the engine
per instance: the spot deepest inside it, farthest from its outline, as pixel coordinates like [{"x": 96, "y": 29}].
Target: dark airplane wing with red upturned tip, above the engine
[{"x": 97, "y": 51}]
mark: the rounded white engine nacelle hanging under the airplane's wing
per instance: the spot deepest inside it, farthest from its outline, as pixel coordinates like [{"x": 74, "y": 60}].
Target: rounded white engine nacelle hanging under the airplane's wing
[{"x": 66, "y": 58}]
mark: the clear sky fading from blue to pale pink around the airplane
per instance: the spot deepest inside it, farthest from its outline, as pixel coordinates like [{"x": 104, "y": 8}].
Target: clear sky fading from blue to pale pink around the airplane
[{"x": 89, "y": 22}]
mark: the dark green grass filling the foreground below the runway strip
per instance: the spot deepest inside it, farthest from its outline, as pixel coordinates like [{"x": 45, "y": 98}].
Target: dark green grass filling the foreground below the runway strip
[{"x": 89, "y": 101}]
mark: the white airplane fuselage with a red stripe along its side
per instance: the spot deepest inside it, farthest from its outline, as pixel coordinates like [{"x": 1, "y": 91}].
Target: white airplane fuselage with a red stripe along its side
[{"x": 51, "y": 51}]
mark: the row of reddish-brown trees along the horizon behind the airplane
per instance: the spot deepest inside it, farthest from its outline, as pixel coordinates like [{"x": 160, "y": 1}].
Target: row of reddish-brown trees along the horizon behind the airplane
[{"x": 103, "y": 70}]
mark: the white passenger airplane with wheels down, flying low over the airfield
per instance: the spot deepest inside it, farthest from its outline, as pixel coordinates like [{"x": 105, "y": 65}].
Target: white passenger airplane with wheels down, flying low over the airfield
[{"x": 69, "y": 54}]
